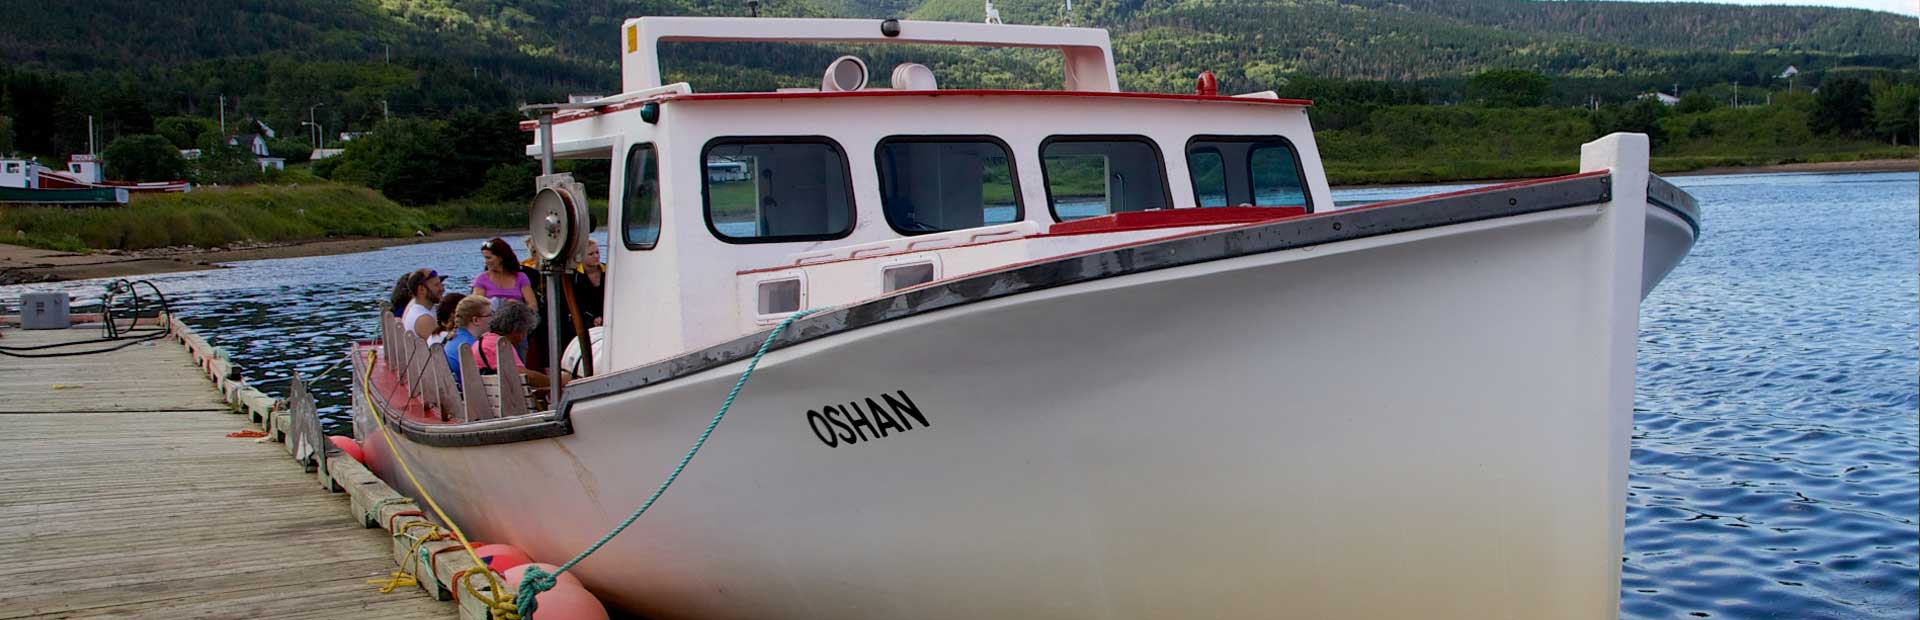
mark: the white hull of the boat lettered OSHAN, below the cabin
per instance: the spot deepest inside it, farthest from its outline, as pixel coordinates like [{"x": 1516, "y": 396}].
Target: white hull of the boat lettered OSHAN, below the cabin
[{"x": 1418, "y": 425}]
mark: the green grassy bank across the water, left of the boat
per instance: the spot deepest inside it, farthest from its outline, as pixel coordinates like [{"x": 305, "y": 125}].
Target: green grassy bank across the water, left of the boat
[{"x": 212, "y": 218}]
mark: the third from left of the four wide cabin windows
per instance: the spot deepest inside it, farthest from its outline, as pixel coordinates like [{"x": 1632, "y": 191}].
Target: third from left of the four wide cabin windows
[{"x": 1099, "y": 176}]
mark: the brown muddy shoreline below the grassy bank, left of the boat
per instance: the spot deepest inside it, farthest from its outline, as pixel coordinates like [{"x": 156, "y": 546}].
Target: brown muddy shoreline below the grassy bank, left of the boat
[{"x": 26, "y": 266}]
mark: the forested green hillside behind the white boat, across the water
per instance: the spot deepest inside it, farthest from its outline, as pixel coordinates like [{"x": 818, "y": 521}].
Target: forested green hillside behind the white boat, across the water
[{"x": 137, "y": 60}]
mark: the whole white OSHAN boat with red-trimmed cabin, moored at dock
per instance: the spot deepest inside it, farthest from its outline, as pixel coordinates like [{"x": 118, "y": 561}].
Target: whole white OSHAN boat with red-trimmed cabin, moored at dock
[{"x": 1059, "y": 354}]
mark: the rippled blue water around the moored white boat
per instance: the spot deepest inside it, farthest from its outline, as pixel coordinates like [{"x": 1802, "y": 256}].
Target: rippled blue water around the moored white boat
[{"x": 1775, "y": 435}]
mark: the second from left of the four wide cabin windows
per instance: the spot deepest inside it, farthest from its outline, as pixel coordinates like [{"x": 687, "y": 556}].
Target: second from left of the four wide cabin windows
[{"x": 946, "y": 183}]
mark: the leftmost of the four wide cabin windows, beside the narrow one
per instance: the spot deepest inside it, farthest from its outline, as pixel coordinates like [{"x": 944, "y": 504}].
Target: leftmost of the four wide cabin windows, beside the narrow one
[{"x": 777, "y": 191}]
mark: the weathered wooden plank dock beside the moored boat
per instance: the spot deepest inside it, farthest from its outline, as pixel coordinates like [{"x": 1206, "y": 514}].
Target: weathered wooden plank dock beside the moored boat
[{"x": 122, "y": 496}]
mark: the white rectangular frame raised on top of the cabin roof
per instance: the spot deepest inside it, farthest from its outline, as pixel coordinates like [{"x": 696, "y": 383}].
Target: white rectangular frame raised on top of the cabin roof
[{"x": 1090, "y": 53}]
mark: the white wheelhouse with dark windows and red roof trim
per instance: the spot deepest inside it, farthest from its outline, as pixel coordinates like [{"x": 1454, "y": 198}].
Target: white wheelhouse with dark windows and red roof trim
[{"x": 734, "y": 210}]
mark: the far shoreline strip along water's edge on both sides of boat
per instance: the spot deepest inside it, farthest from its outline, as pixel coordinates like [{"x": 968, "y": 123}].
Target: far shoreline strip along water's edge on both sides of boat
[{"x": 22, "y": 266}]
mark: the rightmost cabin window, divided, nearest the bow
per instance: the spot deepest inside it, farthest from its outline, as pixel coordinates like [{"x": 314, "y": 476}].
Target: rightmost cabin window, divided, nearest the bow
[{"x": 1245, "y": 172}]
